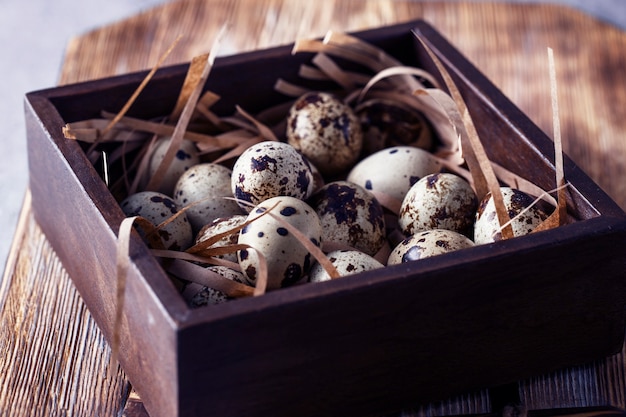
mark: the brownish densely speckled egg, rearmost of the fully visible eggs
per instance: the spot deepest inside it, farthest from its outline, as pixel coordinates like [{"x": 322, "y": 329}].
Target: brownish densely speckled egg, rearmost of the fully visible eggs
[{"x": 326, "y": 131}]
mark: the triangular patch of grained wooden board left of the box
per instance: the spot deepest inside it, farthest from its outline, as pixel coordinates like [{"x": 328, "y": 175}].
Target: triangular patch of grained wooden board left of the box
[{"x": 54, "y": 360}]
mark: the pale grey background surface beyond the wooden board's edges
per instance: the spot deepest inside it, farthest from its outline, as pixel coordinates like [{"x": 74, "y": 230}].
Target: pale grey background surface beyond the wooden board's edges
[{"x": 33, "y": 35}]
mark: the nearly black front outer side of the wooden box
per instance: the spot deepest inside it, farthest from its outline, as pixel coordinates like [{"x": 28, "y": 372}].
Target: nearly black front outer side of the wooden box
[{"x": 364, "y": 350}]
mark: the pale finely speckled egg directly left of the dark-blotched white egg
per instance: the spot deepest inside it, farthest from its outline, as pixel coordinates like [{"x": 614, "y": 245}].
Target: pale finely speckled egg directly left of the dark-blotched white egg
[{"x": 203, "y": 188}]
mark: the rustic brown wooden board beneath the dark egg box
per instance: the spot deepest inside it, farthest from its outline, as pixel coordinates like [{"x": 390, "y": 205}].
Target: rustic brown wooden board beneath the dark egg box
[{"x": 53, "y": 358}]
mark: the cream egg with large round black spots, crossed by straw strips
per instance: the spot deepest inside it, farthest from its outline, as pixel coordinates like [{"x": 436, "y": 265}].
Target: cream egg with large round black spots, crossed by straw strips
[{"x": 287, "y": 260}]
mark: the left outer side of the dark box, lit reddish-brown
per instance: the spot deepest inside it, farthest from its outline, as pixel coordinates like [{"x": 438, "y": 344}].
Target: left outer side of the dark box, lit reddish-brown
[{"x": 85, "y": 243}]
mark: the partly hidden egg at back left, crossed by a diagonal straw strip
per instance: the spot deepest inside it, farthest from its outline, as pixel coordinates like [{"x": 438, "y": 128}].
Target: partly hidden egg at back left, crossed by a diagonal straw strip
[{"x": 186, "y": 157}]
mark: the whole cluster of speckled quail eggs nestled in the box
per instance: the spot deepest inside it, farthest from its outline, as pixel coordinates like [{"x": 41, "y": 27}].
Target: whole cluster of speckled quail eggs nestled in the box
[{"x": 324, "y": 180}]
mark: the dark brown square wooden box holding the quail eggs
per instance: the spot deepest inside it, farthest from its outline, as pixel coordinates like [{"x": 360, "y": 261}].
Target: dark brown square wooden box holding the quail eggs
[{"x": 360, "y": 345}]
